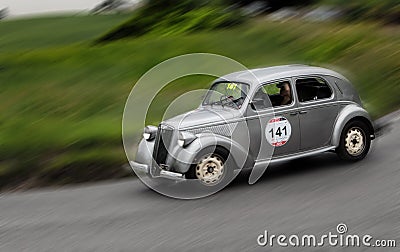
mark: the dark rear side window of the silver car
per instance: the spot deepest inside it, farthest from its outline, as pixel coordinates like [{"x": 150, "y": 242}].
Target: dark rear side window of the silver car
[{"x": 311, "y": 89}]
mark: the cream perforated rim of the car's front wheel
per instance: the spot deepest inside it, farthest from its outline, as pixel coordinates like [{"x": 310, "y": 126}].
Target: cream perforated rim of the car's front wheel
[{"x": 210, "y": 170}]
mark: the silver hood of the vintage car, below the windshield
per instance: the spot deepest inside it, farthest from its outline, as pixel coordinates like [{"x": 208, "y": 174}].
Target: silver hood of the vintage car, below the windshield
[{"x": 203, "y": 115}]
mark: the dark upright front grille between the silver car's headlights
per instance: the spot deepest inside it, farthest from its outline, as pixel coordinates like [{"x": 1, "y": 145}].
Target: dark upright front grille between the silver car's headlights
[{"x": 162, "y": 143}]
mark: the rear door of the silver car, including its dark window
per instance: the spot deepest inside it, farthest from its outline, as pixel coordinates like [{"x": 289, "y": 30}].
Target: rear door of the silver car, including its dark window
[{"x": 317, "y": 110}]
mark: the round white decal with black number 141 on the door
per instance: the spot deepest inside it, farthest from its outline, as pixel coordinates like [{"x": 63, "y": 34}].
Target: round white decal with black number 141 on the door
[{"x": 278, "y": 131}]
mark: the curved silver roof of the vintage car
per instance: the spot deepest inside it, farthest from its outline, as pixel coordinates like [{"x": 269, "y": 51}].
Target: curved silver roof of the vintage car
[{"x": 262, "y": 75}]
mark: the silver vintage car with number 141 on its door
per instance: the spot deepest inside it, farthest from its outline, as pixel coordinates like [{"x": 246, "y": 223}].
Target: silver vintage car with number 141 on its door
[{"x": 250, "y": 118}]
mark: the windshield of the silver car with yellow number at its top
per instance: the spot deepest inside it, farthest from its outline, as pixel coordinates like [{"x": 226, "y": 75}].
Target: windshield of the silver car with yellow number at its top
[{"x": 226, "y": 94}]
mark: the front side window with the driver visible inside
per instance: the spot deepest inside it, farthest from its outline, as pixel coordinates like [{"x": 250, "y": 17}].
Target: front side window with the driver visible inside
[{"x": 275, "y": 94}]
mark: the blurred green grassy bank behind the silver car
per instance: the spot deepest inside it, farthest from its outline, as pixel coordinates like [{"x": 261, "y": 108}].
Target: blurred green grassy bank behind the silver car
[{"x": 62, "y": 98}]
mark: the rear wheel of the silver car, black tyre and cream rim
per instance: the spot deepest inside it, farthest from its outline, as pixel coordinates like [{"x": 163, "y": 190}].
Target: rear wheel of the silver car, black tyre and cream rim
[{"x": 355, "y": 141}]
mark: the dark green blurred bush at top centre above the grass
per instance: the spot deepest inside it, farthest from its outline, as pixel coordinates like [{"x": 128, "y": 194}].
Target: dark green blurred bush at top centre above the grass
[{"x": 169, "y": 17}]
